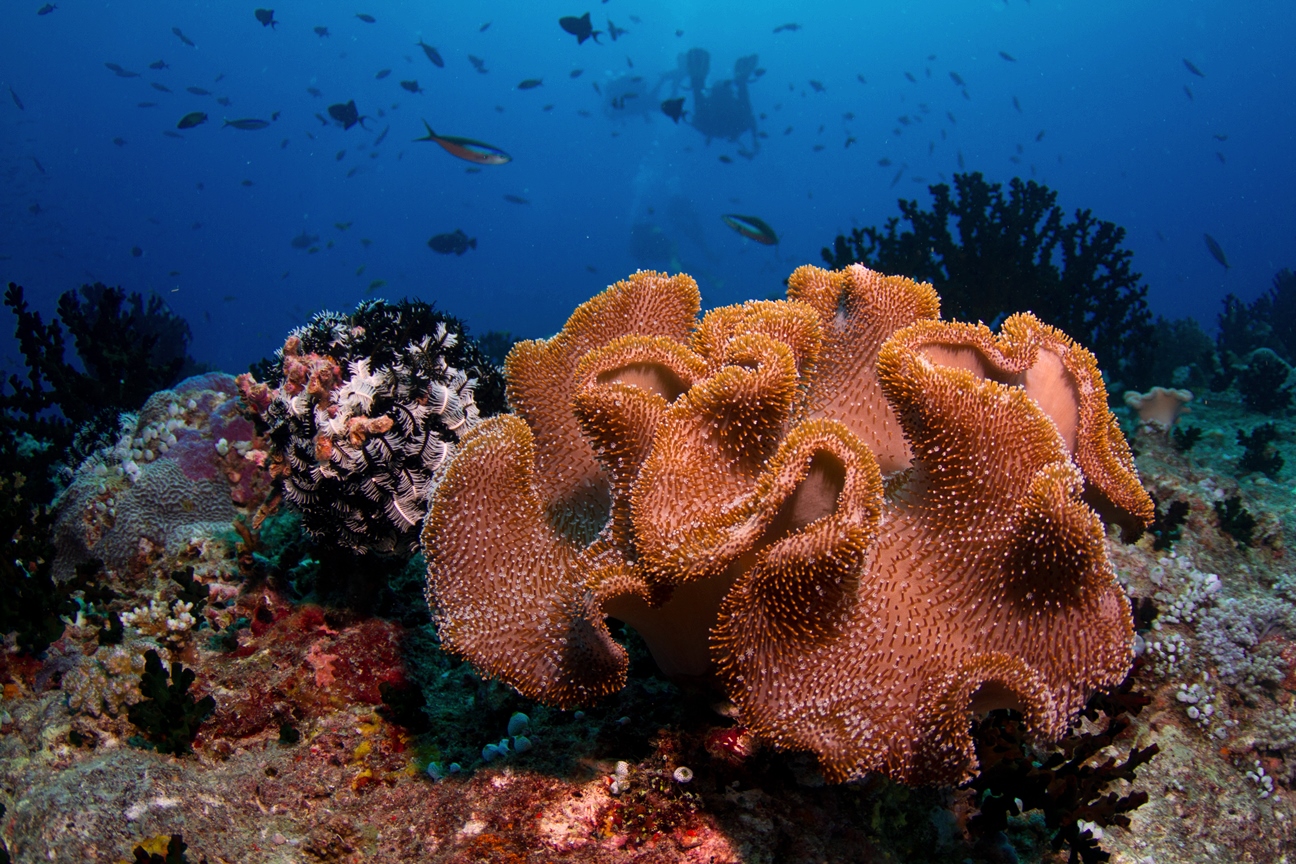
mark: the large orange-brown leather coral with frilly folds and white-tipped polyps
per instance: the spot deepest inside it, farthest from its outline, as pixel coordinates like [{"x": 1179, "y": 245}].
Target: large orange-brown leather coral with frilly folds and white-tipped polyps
[{"x": 866, "y": 523}]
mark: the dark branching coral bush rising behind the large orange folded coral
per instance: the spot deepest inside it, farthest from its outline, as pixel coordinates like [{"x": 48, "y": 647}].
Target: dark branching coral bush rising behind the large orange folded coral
[{"x": 1017, "y": 252}]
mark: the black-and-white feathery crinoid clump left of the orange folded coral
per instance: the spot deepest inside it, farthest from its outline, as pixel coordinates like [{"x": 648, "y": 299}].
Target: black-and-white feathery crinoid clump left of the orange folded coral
[{"x": 362, "y": 411}]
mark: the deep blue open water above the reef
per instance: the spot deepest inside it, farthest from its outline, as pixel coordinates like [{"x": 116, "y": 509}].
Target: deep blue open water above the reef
[{"x": 1107, "y": 113}]
